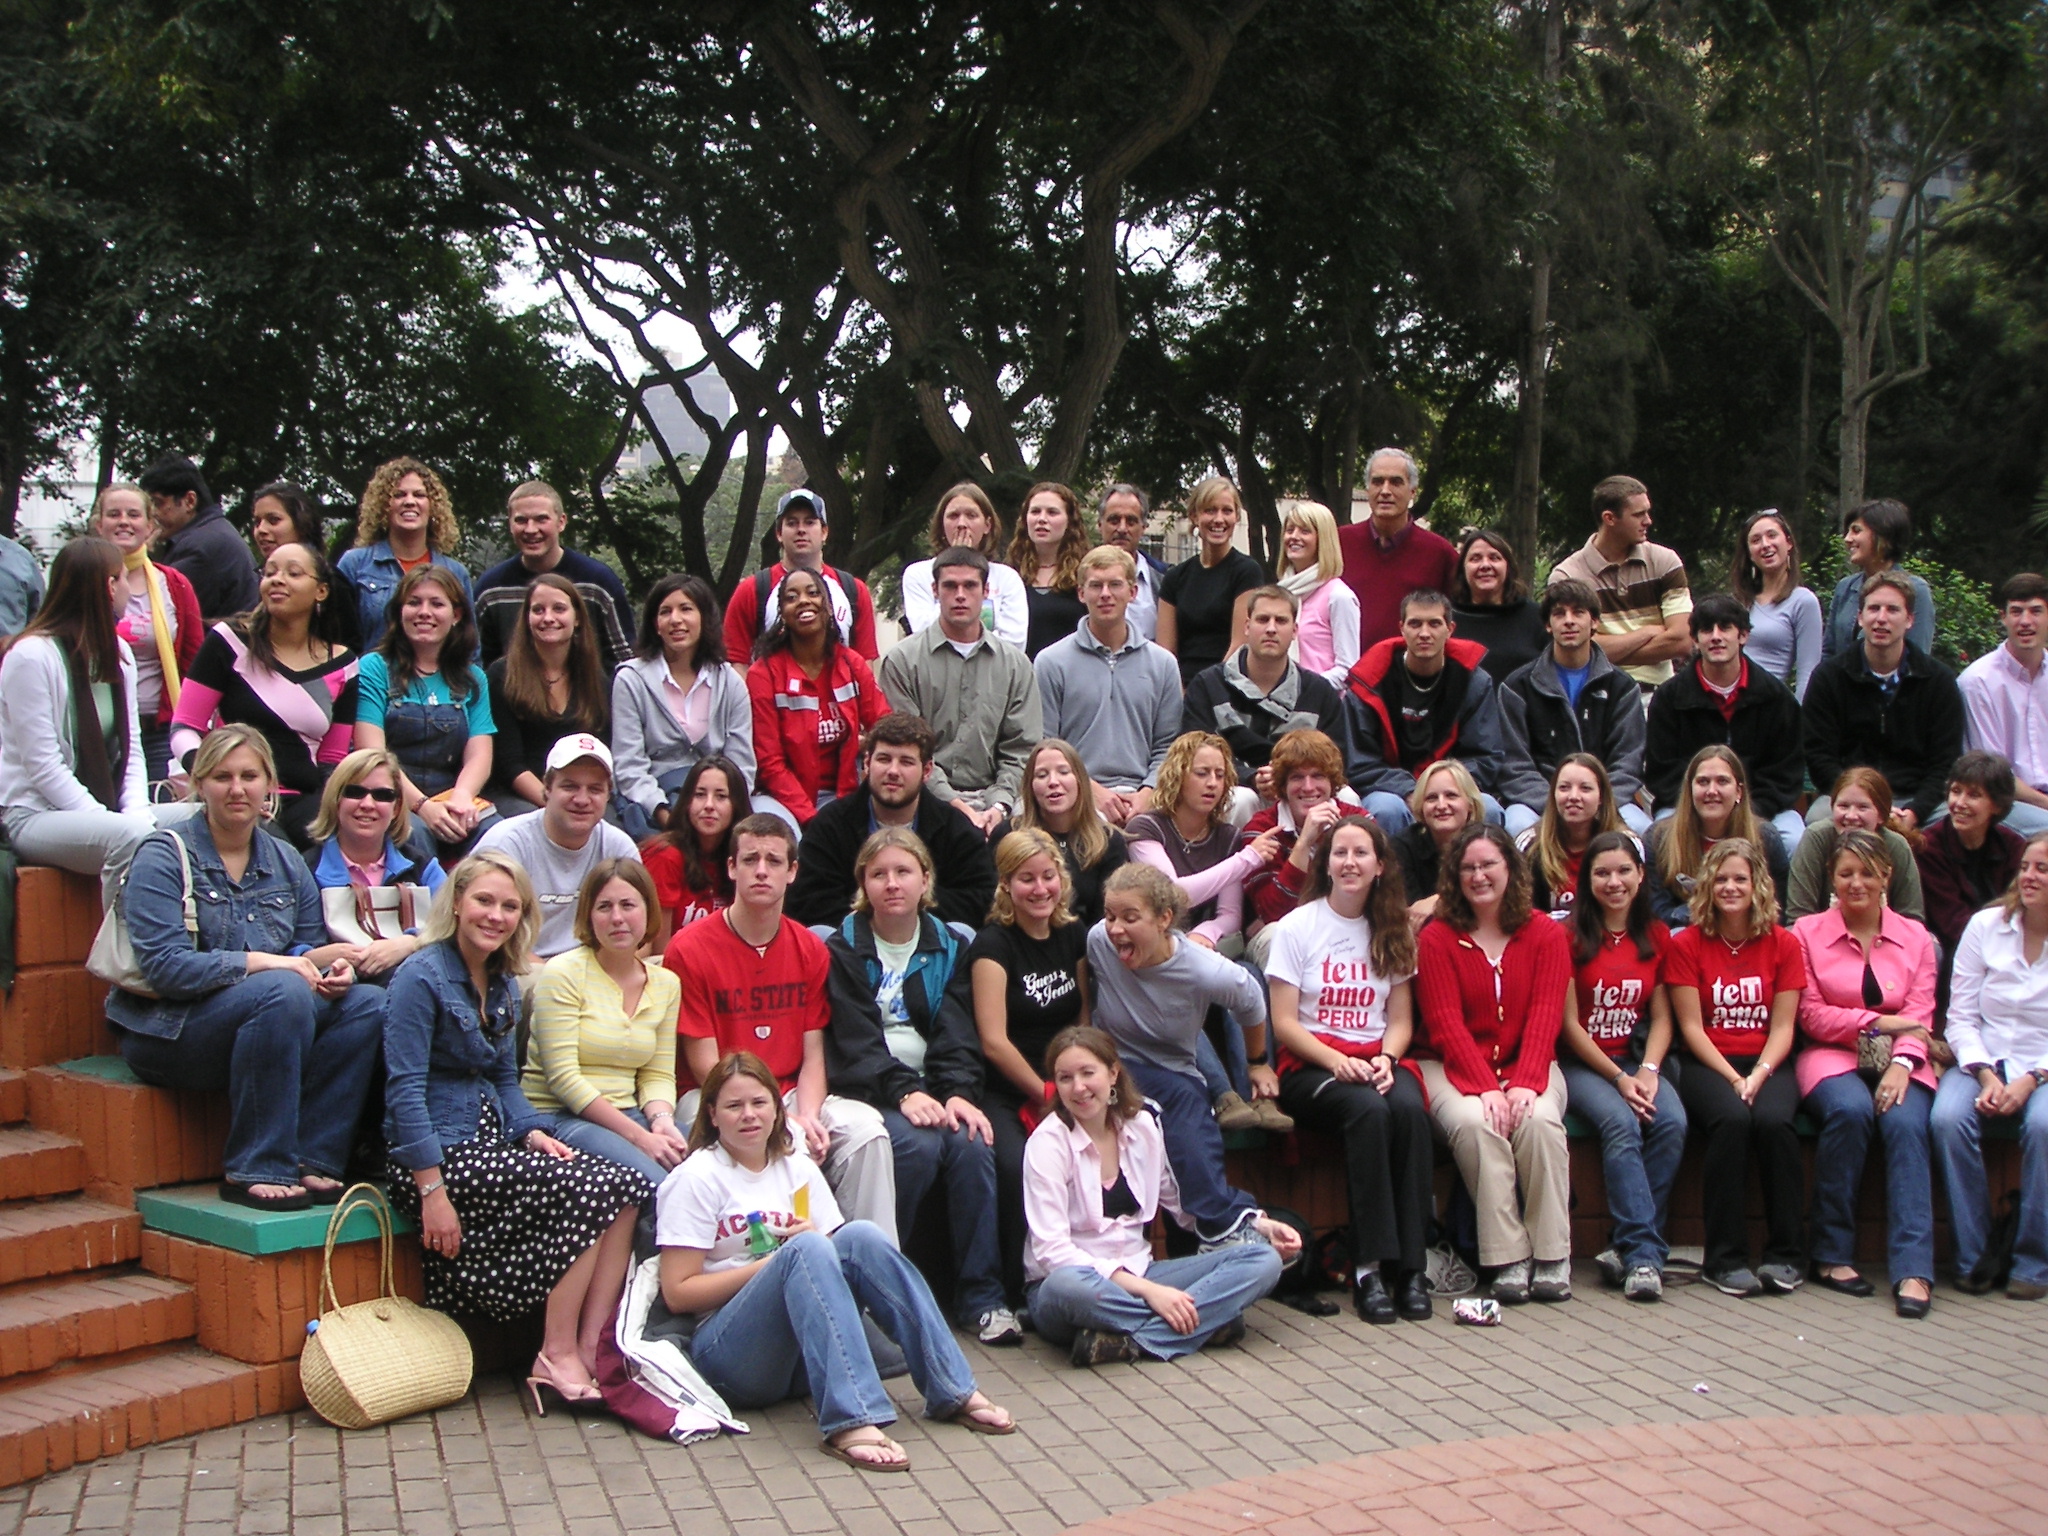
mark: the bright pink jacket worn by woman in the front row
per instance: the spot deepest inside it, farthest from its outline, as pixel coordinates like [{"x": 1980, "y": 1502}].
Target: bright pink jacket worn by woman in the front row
[{"x": 1832, "y": 1009}]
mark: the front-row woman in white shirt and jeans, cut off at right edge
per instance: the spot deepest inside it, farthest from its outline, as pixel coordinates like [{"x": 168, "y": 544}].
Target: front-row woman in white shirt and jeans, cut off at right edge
[{"x": 1998, "y": 1027}]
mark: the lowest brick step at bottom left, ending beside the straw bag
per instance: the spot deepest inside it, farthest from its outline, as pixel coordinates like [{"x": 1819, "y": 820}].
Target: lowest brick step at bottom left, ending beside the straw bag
[{"x": 136, "y": 1402}]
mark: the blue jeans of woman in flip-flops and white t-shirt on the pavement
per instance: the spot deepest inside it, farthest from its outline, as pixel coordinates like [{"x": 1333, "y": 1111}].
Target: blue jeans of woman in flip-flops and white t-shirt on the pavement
[{"x": 798, "y": 1326}]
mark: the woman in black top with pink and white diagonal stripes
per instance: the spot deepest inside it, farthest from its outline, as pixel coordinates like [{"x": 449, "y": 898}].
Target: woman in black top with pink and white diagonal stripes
[{"x": 280, "y": 673}]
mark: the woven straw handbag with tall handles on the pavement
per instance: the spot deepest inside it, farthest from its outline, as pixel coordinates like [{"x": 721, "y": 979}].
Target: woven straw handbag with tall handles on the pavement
[{"x": 384, "y": 1359}]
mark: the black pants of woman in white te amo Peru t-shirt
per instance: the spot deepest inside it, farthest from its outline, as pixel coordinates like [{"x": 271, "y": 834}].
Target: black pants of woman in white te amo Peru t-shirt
[{"x": 1388, "y": 1158}]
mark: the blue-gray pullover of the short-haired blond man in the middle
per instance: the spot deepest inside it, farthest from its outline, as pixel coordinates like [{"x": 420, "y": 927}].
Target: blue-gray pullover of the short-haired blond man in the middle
[{"x": 1121, "y": 712}]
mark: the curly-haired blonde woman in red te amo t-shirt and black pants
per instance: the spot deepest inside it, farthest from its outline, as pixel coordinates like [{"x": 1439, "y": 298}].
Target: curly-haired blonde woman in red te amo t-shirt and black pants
[{"x": 1736, "y": 982}]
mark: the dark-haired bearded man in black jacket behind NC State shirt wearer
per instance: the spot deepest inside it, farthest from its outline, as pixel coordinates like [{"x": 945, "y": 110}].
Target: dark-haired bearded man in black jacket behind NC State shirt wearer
[{"x": 898, "y": 759}]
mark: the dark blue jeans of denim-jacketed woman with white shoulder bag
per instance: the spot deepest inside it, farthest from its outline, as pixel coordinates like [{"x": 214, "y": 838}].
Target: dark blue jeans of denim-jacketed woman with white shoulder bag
[{"x": 296, "y": 1068}]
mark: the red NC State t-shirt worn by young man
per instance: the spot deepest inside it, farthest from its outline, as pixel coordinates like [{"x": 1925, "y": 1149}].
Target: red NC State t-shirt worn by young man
[{"x": 751, "y": 1002}]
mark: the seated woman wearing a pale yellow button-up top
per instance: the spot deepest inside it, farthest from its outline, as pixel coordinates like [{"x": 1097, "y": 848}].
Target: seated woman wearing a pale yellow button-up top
[{"x": 603, "y": 1052}]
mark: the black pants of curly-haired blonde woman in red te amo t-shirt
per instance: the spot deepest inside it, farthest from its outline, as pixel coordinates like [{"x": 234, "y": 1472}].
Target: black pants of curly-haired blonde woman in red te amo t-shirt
[{"x": 1730, "y": 1132}]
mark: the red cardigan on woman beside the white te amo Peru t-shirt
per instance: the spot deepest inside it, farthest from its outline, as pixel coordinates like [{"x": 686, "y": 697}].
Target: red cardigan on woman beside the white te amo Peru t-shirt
[{"x": 1492, "y": 1043}]
